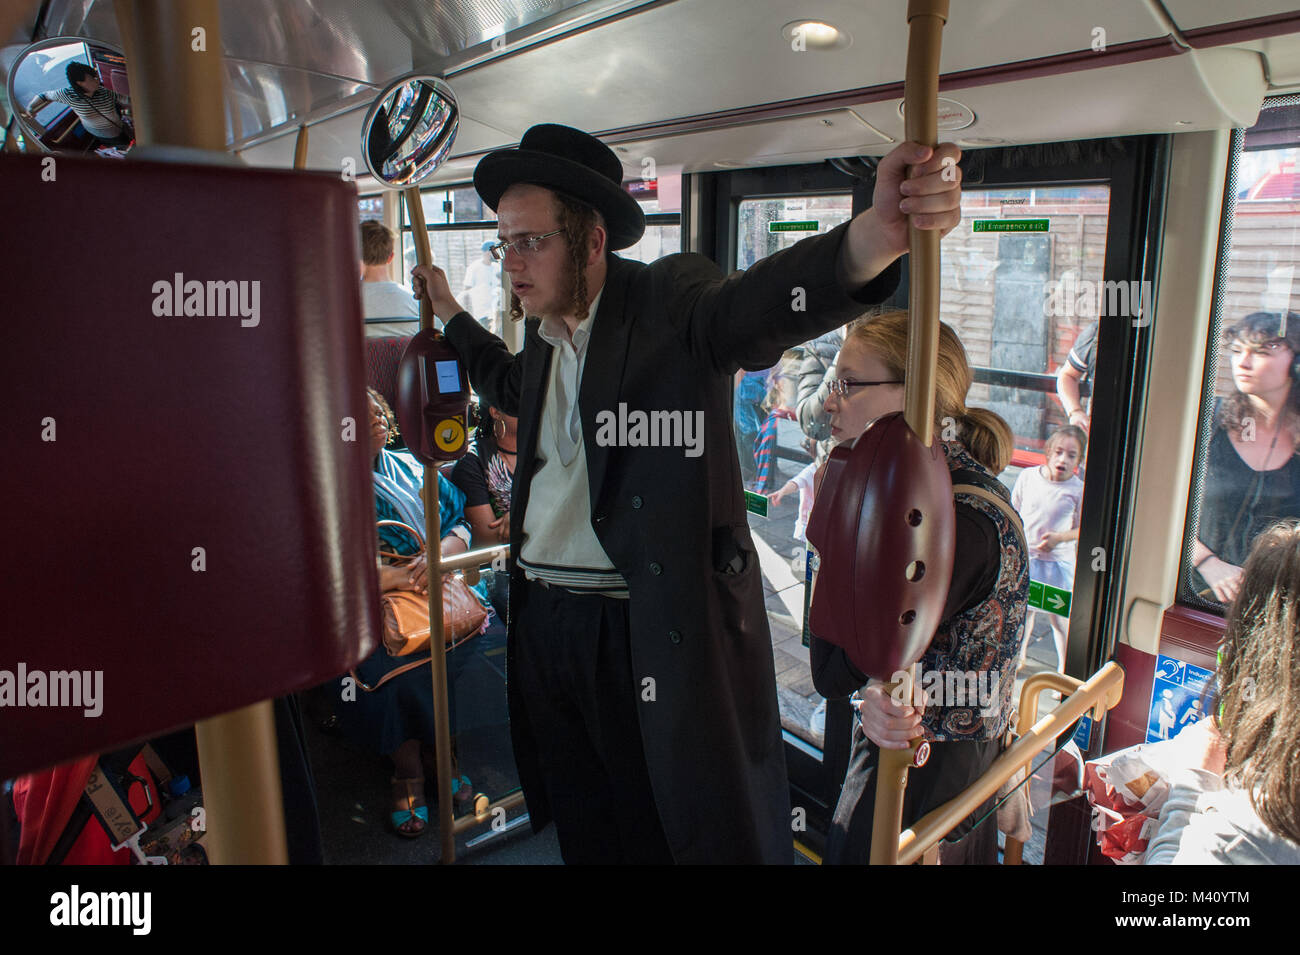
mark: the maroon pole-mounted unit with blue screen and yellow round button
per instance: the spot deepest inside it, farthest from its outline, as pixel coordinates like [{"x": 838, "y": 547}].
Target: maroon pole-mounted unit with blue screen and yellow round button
[{"x": 434, "y": 400}]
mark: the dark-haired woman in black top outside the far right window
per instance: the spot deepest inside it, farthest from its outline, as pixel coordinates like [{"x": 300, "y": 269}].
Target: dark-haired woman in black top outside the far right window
[{"x": 1253, "y": 472}]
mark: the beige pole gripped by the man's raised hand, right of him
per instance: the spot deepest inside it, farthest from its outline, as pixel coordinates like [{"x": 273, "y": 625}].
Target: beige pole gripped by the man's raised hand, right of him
[{"x": 926, "y": 21}]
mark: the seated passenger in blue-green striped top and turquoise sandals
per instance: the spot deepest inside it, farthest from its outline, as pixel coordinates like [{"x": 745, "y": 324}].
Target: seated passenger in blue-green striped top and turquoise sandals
[{"x": 398, "y": 718}]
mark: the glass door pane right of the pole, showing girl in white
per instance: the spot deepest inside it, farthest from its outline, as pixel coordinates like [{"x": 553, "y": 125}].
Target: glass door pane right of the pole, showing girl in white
[{"x": 1022, "y": 286}]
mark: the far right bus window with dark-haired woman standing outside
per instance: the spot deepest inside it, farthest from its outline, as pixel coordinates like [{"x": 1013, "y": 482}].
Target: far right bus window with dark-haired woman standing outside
[{"x": 1247, "y": 472}]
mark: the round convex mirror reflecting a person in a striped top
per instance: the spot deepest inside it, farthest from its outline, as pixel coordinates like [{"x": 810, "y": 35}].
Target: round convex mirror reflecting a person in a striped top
[{"x": 72, "y": 97}]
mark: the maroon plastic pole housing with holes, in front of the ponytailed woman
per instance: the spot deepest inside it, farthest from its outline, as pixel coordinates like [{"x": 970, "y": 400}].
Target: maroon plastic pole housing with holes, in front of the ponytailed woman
[{"x": 883, "y": 528}]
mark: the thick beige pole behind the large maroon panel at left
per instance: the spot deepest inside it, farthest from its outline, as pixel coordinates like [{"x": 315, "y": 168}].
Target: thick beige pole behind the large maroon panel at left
[{"x": 174, "y": 60}]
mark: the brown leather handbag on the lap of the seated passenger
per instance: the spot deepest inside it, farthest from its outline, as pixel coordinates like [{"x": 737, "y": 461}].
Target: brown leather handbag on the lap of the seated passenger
[{"x": 406, "y": 617}]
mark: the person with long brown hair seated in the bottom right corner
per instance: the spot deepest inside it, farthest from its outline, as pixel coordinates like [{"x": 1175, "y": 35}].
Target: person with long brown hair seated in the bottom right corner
[{"x": 1238, "y": 804}]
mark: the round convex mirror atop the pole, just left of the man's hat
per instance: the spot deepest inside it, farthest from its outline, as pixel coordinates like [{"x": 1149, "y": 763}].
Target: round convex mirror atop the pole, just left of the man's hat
[{"x": 410, "y": 131}]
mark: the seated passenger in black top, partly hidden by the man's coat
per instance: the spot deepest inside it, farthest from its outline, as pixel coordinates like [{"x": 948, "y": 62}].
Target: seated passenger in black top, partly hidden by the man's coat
[{"x": 486, "y": 476}]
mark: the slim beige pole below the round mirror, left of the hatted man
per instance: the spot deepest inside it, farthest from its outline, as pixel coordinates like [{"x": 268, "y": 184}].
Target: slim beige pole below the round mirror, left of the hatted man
[{"x": 434, "y": 541}]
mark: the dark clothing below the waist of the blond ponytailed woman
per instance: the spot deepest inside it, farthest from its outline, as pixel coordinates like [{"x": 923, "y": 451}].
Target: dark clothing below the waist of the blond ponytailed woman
[{"x": 952, "y": 767}]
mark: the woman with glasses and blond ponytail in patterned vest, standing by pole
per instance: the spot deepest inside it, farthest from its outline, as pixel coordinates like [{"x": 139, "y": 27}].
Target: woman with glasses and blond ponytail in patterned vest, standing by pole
[{"x": 983, "y": 624}]
